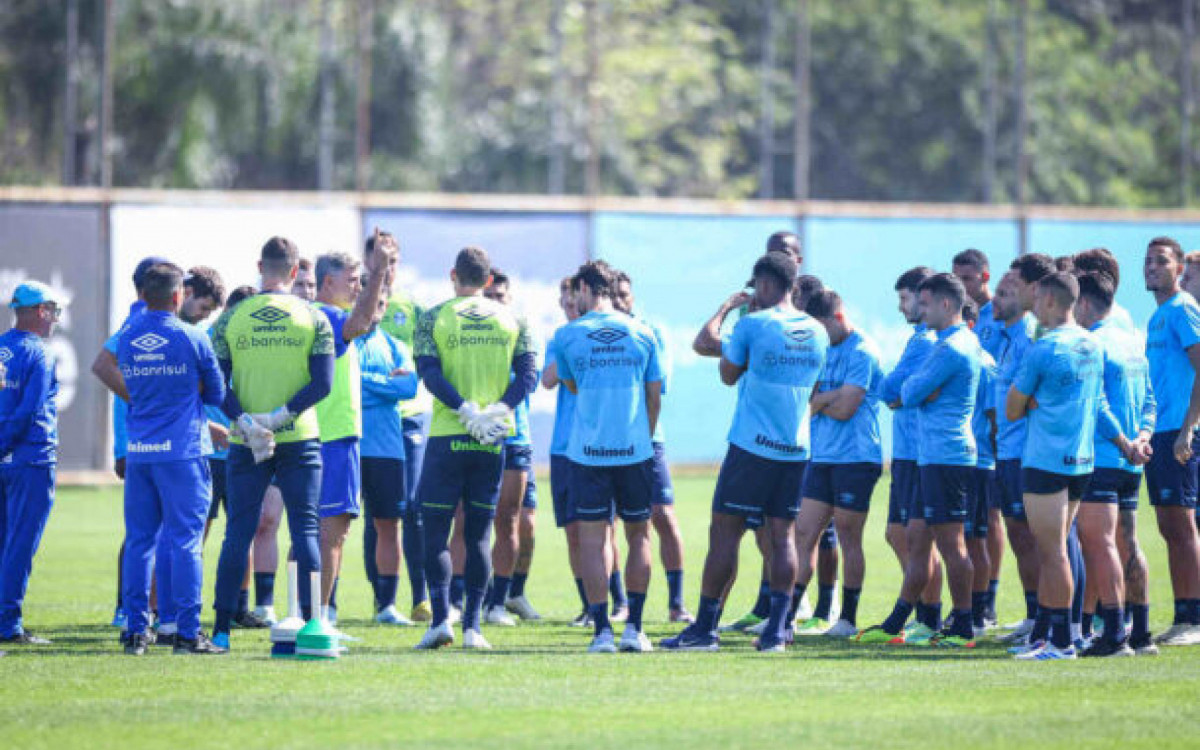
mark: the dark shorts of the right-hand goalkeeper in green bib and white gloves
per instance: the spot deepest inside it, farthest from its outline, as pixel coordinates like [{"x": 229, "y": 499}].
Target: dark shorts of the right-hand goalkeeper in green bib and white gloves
[{"x": 459, "y": 469}]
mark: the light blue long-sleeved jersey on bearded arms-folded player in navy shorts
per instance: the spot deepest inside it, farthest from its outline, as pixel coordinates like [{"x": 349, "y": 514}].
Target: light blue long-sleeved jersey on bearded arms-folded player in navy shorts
[{"x": 945, "y": 391}]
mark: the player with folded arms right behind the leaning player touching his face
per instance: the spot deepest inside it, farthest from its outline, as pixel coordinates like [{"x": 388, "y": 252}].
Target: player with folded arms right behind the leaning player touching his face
[{"x": 847, "y": 458}]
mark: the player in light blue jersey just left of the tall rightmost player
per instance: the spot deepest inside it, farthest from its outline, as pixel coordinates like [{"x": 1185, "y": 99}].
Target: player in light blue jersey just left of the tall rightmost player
[{"x": 1115, "y": 481}]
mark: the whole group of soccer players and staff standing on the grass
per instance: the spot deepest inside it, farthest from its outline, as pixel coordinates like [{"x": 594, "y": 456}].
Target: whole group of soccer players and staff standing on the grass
[{"x": 328, "y": 393}]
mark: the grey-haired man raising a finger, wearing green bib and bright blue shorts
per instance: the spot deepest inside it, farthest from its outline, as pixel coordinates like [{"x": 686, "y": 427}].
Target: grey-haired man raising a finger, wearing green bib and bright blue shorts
[{"x": 352, "y": 310}]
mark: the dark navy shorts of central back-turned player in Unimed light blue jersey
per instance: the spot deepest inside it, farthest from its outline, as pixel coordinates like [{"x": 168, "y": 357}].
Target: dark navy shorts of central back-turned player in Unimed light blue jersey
[{"x": 601, "y": 491}]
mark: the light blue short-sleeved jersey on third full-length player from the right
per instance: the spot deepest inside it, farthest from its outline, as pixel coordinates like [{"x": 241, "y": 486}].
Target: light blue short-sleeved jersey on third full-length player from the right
[{"x": 1065, "y": 371}]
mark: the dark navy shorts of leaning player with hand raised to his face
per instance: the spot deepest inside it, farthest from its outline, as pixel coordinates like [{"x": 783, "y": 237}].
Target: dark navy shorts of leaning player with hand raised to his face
[{"x": 757, "y": 488}]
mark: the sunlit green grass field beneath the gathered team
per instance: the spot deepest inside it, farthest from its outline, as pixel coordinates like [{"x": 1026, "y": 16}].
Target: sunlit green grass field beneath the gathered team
[{"x": 539, "y": 688}]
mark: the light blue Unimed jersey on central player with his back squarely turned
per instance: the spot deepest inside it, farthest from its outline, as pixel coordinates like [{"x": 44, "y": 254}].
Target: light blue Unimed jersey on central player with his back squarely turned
[{"x": 611, "y": 358}]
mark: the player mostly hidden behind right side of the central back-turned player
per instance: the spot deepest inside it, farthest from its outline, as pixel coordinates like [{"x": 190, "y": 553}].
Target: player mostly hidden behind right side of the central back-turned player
[{"x": 663, "y": 517}]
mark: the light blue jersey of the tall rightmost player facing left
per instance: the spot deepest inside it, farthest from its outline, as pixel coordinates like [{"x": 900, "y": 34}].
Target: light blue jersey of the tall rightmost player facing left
[{"x": 1174, "y": 328}]
